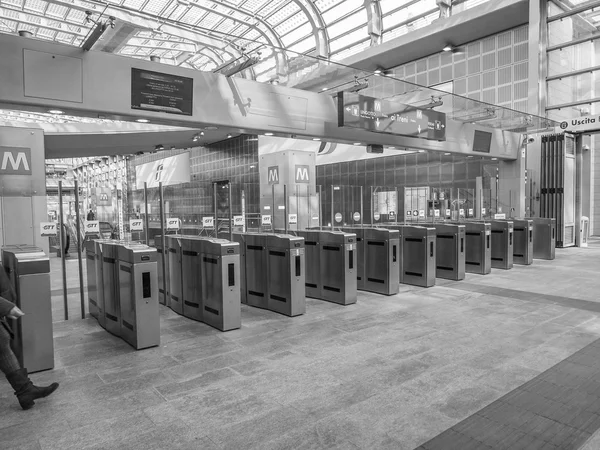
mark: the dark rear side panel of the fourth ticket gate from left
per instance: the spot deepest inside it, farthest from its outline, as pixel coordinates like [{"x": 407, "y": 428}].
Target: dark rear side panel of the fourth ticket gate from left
[{"x": 256, "y": 270}]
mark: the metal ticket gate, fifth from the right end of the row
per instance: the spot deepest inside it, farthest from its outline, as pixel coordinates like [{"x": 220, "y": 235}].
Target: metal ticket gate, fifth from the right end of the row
[{"x": 450, "y": 251}]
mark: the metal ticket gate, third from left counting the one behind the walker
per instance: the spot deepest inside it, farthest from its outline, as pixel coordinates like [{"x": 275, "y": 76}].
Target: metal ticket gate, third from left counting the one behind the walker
[{"x": 204, "y": 279}]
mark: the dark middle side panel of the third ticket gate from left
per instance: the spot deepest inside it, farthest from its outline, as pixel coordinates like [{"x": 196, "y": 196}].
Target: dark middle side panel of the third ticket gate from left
[{"x": 191, "y": 297}]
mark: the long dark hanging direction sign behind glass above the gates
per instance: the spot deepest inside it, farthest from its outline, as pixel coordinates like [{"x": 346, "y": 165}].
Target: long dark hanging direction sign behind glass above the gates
[{"x": 388, "y": 116}]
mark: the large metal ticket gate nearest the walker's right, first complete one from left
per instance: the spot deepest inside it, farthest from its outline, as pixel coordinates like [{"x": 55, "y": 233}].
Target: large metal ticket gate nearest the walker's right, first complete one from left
[{"x": 123, "y": 290}]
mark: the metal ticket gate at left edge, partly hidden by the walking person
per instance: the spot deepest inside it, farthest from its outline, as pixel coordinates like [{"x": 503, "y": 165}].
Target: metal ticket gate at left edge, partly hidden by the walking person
[{"x": 28, "y": 269}]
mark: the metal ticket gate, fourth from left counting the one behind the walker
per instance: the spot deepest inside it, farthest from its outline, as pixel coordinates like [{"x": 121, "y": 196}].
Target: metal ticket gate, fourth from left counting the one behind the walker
[{"x": 273, "y": 274}]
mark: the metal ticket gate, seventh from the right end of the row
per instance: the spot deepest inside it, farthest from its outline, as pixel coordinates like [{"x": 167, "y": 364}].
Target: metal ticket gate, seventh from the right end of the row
[{"x": 382, "y": 255}]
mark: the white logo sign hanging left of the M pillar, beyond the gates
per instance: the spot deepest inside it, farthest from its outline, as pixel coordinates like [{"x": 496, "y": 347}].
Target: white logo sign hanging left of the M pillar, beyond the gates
[{"x": 169, "y": 171}]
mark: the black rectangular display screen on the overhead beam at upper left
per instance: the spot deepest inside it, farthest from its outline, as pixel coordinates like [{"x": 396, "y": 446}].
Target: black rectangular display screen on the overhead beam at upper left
[{"x": 161, "y": 92}]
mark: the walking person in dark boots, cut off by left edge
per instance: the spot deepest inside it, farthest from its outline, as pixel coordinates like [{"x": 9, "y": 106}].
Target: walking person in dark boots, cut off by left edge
[{"x": 16, "y": 375}]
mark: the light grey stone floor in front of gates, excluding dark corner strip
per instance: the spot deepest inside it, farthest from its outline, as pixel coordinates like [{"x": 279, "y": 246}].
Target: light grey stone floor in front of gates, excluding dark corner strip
[{"x": 388, "y": 372}]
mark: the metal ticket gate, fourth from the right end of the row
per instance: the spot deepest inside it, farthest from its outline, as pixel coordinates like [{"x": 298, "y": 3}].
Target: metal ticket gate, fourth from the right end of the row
[{"x": 478, "y": 256}]
